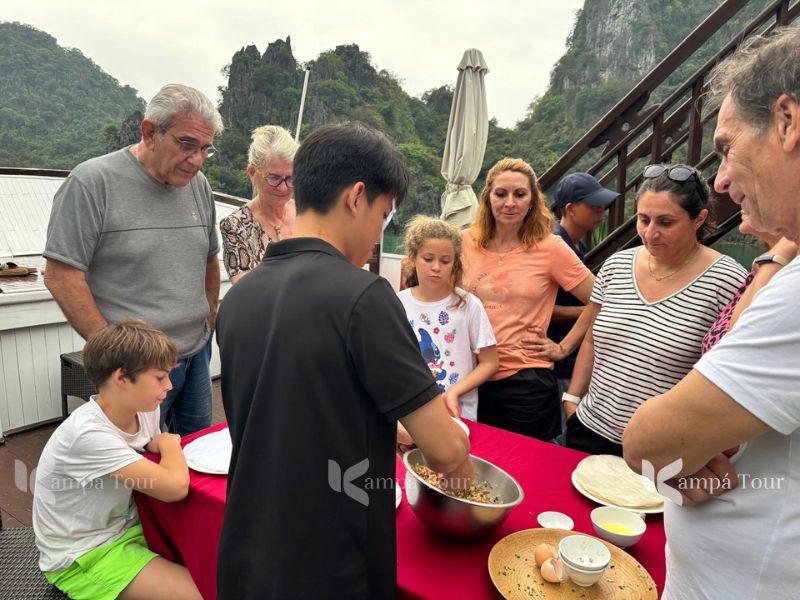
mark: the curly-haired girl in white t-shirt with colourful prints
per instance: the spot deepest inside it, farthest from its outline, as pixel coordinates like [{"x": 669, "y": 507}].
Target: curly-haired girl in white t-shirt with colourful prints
[{"x": 454, "y": 333}]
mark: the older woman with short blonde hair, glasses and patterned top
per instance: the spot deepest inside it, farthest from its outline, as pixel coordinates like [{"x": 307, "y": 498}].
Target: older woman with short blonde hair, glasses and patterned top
[{"x": 269, "y": 216}]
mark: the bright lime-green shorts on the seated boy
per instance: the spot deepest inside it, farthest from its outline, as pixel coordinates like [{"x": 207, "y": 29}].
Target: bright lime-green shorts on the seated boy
[{"x": 102, "y": 573}]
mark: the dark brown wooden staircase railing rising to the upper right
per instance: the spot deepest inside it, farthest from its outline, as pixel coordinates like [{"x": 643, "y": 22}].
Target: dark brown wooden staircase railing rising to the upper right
[{"x": 633, "y": 134}]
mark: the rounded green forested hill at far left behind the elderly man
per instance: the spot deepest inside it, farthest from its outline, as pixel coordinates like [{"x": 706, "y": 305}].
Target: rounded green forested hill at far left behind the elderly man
[{"x": 55, "y": 104}]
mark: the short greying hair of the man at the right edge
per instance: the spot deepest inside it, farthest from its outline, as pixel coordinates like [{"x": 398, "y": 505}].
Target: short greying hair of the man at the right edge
[{"x": 760, "y": 70}]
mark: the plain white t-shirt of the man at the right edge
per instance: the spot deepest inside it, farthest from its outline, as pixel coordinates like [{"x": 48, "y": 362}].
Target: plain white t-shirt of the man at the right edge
[{"x": 744, "y": 543}]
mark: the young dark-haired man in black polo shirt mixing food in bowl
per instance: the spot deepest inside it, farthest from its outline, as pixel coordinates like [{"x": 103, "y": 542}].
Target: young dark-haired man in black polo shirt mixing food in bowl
[{"x": 318, "y": 365}]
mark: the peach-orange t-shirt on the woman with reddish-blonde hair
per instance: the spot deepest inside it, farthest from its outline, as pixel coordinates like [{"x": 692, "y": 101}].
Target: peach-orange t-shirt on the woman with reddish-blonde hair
[{"x": 521, "y": 293}]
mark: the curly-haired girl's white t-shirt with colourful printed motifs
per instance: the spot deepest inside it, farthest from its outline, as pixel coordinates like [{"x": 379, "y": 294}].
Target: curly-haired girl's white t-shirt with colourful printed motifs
[{"x": 450, "y": 337}]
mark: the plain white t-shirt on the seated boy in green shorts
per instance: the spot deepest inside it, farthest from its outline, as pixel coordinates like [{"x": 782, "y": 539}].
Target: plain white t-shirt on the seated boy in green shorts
[{"x": 77, "y": 505}]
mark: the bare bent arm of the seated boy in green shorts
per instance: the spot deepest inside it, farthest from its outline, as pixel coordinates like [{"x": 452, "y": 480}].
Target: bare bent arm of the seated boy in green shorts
[{"x": 167, "y": 481}]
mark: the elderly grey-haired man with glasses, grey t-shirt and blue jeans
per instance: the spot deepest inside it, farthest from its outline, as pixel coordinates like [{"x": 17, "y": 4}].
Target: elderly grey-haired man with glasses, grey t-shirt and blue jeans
[{"x": 133, "y": 233}]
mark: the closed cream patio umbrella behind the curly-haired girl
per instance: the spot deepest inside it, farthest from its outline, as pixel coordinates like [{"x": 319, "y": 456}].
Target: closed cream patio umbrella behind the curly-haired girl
[{"x": 465, "y": 145}]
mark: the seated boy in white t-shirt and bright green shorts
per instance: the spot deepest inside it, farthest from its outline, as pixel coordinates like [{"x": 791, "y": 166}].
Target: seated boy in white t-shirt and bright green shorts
[{"x": 87, "y": 528}]
